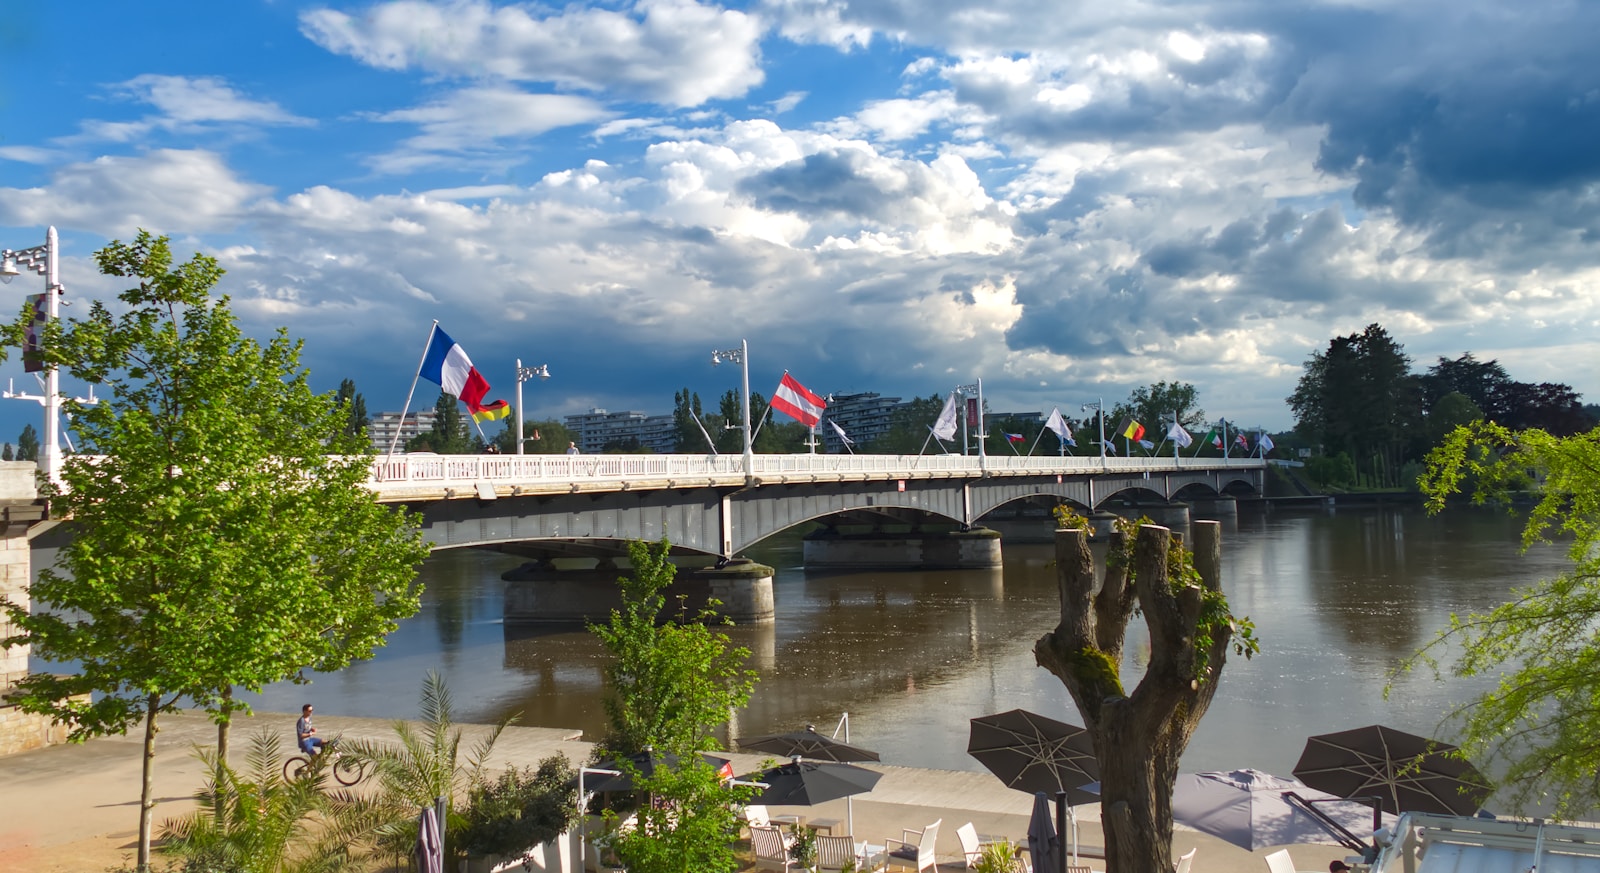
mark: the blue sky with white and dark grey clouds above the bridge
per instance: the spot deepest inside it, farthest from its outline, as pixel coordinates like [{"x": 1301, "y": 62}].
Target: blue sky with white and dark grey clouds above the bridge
[{"x": 1068, "y": 201}]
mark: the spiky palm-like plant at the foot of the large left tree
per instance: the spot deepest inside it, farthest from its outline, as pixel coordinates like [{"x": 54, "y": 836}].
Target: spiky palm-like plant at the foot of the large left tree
[{"x": 254, "y": 821}]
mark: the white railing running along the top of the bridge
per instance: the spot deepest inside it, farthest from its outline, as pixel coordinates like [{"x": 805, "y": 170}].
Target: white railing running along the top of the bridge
[{"x": 572, "y": 469}]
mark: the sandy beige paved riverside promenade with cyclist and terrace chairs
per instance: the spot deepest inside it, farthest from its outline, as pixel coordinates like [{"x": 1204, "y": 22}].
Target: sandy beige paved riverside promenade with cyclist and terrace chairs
[{"x": 76, "y": 808}]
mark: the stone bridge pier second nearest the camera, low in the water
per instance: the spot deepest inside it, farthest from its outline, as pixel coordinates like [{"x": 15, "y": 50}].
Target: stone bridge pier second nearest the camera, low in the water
[{"x": 830, "y": 549}]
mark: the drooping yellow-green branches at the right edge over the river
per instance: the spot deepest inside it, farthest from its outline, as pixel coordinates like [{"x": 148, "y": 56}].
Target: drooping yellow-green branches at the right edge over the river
[{"x": 1538, "y": 725}]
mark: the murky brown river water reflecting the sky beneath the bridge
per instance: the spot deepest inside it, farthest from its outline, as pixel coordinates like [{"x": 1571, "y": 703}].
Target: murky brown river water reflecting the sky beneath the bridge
[{"x": 1338, "y": 597}]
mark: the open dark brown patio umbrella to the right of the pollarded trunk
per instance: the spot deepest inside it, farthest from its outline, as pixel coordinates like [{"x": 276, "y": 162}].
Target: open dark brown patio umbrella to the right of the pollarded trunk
[{"x": 1410, "y": 773}]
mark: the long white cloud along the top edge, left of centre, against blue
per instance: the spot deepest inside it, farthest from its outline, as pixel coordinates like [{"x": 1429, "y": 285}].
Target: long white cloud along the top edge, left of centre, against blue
[{"x": 670, "y": 52}]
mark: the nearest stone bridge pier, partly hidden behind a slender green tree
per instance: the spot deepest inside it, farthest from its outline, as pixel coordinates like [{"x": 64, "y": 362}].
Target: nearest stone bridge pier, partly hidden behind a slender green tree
[{"x": 538, "y": 592}]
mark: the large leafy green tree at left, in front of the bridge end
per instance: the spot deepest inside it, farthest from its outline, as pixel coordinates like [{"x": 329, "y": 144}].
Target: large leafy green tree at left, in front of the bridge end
[{"x": 225, "y": 535}]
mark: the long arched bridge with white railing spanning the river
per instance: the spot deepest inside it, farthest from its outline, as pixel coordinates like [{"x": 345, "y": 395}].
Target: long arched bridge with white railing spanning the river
[{"x": 724, "y": 504}]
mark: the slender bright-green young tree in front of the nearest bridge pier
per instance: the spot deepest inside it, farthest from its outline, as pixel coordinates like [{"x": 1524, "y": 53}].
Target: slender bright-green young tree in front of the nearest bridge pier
[{"x": 673, "y": 680}]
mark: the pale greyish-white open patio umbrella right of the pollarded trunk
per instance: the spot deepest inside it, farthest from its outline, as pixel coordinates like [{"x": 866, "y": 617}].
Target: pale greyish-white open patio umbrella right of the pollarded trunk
[{"x": 1249, "y": 810}]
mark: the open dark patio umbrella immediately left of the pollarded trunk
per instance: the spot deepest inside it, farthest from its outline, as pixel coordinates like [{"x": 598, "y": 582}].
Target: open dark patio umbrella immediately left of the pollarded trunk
[{"x": 1036, "y": 754}]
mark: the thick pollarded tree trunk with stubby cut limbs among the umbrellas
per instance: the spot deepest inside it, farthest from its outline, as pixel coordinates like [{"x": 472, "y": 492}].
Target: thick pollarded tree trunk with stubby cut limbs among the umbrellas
[{"x": 1140, "y": 736}]
